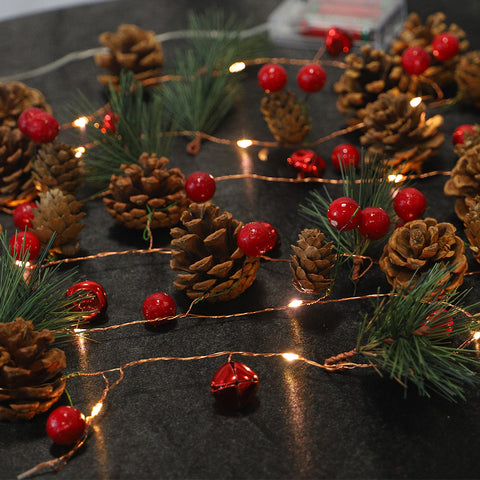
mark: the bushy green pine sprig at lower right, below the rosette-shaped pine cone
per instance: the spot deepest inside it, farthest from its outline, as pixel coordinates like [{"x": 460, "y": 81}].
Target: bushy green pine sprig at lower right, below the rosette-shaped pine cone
[{"x": 397, "y": 340}]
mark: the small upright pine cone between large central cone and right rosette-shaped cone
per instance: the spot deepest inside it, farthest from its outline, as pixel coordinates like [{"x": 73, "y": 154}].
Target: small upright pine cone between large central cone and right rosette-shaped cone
[{"x": 313, "y": 262}]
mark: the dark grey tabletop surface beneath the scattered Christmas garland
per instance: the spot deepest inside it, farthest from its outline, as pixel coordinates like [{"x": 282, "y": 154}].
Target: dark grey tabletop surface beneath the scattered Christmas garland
[{"x": 161, "y": 421}]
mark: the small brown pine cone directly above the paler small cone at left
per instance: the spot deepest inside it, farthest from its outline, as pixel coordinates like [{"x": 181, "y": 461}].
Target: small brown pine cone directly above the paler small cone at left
[{"x": 56, "y": 166}]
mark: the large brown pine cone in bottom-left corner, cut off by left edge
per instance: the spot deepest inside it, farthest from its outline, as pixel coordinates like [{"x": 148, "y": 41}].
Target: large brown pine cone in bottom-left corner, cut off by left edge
[{"x": 30, "y": 373}]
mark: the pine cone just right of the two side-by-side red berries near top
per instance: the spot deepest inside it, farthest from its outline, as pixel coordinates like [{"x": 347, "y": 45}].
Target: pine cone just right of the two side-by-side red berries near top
[{"x": 368, "y": 74}]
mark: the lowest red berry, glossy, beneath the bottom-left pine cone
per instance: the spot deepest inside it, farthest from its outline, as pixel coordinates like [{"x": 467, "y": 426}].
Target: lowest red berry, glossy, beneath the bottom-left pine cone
[{"x": 65, "y": 425}]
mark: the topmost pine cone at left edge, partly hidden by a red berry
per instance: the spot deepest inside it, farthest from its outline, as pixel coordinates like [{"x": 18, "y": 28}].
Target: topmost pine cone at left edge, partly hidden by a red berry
[{"x": 15, "y": 97}]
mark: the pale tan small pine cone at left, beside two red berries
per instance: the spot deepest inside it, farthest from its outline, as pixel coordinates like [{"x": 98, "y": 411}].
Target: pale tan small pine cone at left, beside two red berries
[{"x": 59, "y": 213}]
